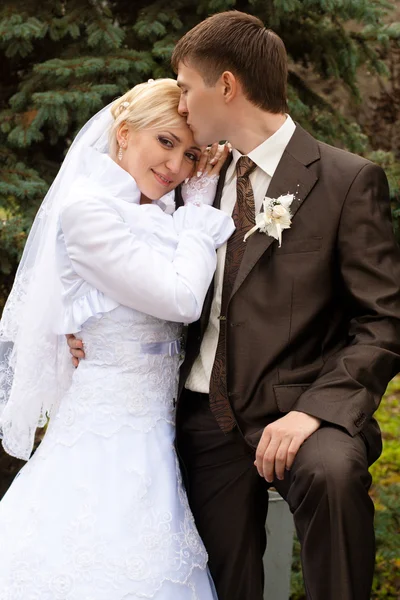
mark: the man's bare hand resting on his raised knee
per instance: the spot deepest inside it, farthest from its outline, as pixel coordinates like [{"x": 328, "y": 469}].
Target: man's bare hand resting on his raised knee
[{"x": 280, "y": 443}]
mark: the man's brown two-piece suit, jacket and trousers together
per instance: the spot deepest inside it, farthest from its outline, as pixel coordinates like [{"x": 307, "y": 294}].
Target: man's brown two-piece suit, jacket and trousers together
[{"x": 312, "y": 326}]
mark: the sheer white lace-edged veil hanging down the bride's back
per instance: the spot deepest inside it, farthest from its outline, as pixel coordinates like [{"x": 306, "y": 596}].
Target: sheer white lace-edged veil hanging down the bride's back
[{"x": 35, "y": 367}]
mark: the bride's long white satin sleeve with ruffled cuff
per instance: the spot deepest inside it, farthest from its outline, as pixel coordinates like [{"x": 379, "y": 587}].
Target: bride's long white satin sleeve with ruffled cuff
[{"x": 125, "y": 267}]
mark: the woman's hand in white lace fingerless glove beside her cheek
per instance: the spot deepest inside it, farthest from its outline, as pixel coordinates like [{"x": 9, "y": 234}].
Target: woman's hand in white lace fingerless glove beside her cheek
[{"x": 201, "y": 188}]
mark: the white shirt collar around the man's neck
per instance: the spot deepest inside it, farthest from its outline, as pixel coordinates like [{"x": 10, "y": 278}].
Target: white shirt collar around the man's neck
[{"x": 269, "y": 153}]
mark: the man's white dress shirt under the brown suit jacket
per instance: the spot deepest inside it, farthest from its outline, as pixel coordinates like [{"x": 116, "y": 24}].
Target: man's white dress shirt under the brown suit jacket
[{"x": 266, "y": 156}]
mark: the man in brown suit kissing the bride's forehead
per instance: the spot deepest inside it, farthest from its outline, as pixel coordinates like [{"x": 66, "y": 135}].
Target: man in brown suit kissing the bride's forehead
[{"x": 297, "y": 340}]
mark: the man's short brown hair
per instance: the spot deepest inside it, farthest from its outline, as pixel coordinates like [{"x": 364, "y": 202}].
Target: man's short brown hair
[{"x": 238, "y": 42}]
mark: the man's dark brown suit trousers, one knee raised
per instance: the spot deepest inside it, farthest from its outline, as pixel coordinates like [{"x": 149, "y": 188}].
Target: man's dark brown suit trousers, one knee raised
[{"x": 326, "y": 489}]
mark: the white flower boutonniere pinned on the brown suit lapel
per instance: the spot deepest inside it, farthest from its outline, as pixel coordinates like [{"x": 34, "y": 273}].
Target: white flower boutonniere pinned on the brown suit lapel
[{"x": 274, "y": 218}]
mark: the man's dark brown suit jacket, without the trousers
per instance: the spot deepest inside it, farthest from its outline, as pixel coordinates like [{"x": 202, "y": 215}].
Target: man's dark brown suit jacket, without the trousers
[{"x": 314, "y": 325}]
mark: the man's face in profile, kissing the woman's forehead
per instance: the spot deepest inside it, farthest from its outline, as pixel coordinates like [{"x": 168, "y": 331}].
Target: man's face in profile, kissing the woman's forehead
[{"x": 202, "y": 105}]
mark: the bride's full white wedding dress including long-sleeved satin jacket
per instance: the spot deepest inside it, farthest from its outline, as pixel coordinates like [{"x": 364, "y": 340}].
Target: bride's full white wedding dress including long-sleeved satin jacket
[{"x": 99, "y": 512}]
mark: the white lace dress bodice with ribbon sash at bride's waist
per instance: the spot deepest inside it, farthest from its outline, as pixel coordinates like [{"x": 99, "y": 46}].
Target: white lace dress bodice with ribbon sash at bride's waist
[{"x": 121, "y": 382}]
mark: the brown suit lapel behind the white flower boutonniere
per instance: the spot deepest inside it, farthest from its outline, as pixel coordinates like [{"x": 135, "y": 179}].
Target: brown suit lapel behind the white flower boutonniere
[{"x": 291, "y": 176}]
